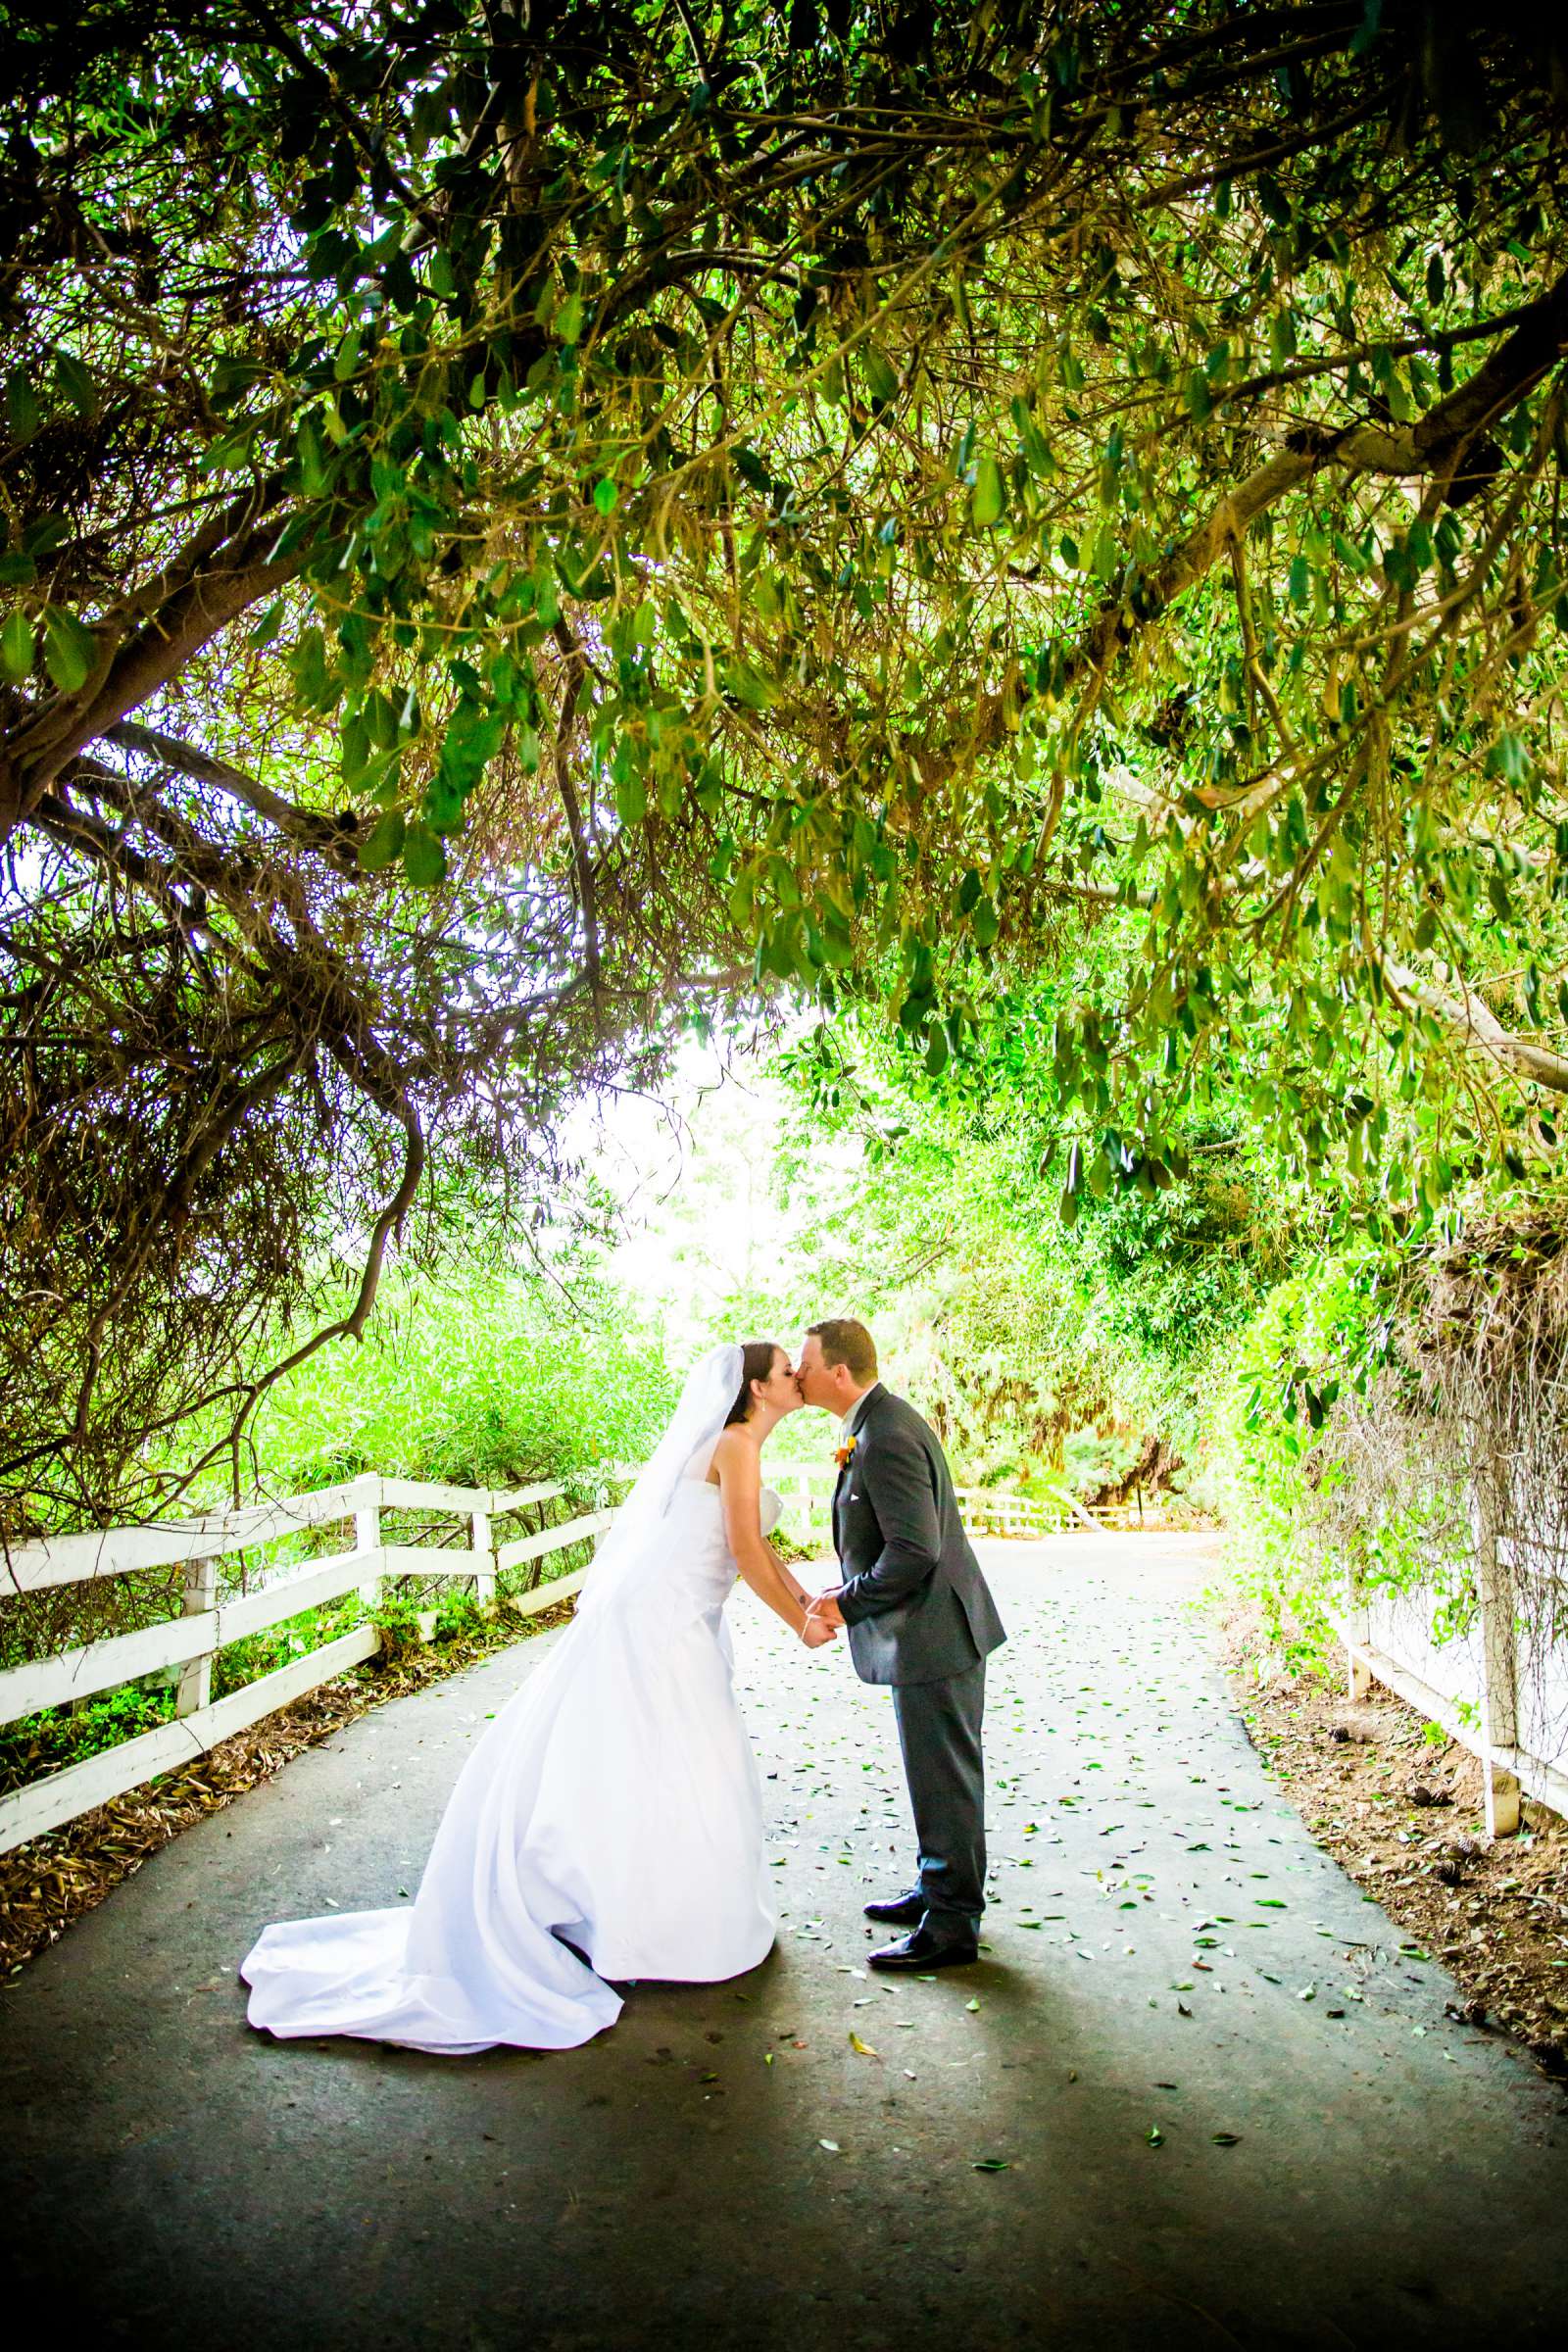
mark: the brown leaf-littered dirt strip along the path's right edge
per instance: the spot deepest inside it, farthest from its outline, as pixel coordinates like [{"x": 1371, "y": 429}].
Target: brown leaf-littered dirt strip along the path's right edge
[{"x": 1405, "y": 1817}]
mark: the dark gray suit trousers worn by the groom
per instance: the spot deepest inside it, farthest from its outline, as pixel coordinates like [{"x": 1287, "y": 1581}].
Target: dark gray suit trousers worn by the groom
[{"x": 939, "y": 1730}]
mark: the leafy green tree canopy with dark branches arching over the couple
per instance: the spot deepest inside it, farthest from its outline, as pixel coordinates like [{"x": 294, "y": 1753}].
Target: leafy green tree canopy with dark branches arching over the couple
[{"x": 532, "y": 521}]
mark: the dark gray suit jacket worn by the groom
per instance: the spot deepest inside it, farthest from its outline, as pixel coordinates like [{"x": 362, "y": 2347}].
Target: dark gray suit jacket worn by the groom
[{"x": 913, "y": 1601}]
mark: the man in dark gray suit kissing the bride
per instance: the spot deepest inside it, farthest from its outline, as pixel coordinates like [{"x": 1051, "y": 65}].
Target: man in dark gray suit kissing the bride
[{"x": 918, "y": 1617}]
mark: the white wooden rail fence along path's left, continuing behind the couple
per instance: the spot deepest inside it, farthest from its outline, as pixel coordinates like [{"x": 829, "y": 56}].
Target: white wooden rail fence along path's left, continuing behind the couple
[{"x": 189, "y": 1643}]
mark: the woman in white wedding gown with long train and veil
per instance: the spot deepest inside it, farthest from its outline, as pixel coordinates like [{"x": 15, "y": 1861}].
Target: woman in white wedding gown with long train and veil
[{"x": 610, "y": 1822}]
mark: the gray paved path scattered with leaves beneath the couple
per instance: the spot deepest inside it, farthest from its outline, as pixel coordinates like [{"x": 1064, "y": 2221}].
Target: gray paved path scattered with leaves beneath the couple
[{"x": 1170, "y": 1960}]
